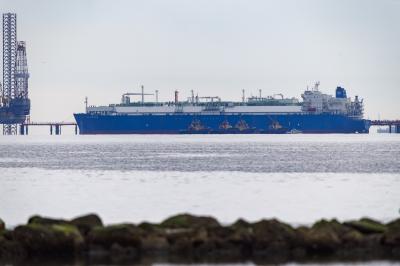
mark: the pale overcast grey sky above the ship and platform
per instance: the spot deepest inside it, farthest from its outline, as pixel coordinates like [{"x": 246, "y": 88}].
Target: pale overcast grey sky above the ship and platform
[{"x": 102, "y": 49}]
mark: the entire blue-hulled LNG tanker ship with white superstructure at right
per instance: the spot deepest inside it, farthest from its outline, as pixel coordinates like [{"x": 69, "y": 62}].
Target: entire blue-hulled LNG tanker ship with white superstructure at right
[{"x": 316, "y": 113}]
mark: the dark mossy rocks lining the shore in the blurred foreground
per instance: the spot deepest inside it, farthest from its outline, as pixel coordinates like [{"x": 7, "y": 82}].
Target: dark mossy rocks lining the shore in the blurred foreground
[{"x": 189, "y": 238}]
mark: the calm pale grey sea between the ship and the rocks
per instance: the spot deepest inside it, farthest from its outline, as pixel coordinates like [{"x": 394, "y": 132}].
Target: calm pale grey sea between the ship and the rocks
[{"x": 296, "y": 178}]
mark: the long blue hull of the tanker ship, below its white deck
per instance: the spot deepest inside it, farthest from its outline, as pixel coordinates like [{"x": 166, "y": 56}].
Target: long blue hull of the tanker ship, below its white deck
[{"x": 181, "y": 123}]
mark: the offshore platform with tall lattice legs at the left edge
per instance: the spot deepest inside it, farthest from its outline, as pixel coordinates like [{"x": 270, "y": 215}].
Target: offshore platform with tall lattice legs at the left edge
[{"x": 14, "y": 100}]
